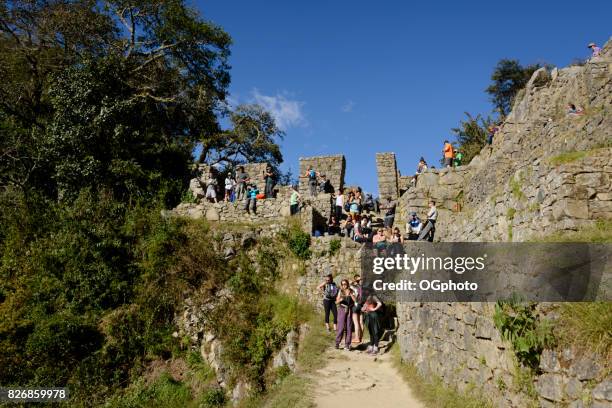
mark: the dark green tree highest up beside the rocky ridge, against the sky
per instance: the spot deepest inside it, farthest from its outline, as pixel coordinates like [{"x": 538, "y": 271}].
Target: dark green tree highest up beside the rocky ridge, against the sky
[{"x": 508, "y": 77}]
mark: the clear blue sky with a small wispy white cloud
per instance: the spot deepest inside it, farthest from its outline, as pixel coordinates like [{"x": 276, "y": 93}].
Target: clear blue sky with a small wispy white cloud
[{"x": 356, "y": 77}]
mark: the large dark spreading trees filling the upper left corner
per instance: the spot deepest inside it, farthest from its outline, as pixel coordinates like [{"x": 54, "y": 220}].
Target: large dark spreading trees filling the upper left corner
[{"x": 168, "y": 75}]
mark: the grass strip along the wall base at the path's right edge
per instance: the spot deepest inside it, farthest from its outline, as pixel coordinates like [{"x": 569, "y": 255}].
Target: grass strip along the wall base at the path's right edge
[{"x": 434, "y": 393}]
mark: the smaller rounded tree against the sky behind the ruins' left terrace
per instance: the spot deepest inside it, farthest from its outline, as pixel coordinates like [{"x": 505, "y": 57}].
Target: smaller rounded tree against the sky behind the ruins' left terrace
[{"x": 252, "y": 137}]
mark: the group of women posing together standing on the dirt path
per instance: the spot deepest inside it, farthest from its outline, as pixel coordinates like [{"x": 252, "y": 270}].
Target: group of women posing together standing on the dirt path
[{"x": 352, "y": 311}]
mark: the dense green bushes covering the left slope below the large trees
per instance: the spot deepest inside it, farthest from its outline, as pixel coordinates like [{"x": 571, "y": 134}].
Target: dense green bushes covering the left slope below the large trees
[{"x": 97, "y": 284}]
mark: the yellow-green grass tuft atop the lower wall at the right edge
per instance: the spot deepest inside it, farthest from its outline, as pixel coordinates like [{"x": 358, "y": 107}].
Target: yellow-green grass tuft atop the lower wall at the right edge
[{"x": 586, "y": 326}]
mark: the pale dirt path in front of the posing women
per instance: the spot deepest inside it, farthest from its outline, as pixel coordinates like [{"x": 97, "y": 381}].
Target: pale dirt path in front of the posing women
[{"x": 355, "y": 378}]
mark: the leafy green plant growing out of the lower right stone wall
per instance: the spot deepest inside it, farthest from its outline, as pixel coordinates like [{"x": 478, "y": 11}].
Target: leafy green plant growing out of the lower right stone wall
[{"x": 528, "y": 335}]
